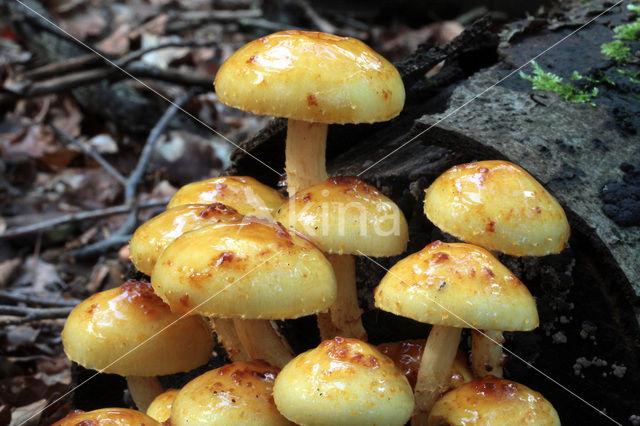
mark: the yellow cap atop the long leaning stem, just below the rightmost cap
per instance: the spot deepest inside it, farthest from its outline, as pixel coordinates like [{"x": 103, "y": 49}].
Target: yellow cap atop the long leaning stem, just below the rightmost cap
[{"x": 457, "y": 285}]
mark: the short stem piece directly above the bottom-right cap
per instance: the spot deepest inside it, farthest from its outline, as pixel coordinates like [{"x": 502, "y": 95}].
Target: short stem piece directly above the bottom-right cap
[{"x": 486, "y": 356}]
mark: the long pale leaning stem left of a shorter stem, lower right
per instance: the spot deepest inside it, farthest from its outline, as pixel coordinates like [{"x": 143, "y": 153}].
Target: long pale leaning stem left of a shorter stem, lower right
[{"x": 434, "y": 375}]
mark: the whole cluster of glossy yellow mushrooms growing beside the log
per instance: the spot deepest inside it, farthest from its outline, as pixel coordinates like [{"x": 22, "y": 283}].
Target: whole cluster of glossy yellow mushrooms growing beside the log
[{"x": 231, "y": 255}]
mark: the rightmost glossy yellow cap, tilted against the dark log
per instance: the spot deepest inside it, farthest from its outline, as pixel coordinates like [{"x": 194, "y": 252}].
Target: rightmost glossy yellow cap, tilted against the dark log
[{"x": 499, "y": 206}]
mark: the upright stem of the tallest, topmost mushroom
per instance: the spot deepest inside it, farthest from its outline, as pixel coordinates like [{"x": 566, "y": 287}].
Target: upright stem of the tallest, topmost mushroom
[{"x": 305, "y": 151}]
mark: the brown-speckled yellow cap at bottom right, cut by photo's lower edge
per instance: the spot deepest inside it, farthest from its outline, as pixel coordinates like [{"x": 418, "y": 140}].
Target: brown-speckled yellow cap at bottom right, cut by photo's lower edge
[{"x": 490, "y": 401}]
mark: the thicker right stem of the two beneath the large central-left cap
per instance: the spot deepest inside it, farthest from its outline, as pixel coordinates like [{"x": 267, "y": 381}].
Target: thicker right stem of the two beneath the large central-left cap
[{"x": 262, "y": 341}]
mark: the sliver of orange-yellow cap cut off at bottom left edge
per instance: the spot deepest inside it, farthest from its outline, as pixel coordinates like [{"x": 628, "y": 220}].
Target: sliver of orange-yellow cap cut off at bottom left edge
[{"x": 107, "y": 416}]
